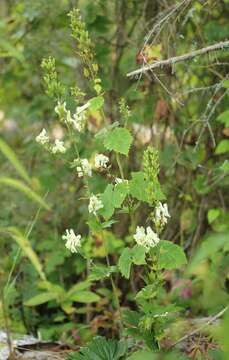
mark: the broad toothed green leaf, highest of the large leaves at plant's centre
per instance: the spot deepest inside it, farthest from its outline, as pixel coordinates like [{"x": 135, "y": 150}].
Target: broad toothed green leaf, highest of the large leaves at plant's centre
[{"x": 119, "y": 140}]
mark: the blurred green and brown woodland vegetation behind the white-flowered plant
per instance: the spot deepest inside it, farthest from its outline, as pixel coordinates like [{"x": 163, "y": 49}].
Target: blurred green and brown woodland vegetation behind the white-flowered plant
[{"x": 180, "y": 110}]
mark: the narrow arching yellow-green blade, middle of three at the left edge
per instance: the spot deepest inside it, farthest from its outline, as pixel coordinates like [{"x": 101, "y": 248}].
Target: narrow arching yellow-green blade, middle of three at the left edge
[{"x": 18, "y": 185}]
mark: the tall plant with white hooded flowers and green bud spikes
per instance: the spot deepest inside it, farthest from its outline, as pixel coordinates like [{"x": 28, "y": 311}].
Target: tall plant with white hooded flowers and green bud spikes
[{"x": 121, "y": 196}]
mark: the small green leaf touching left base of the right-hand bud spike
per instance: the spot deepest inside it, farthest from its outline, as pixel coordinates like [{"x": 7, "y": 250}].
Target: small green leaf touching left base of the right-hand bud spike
[{"x": 138, "y": 186}]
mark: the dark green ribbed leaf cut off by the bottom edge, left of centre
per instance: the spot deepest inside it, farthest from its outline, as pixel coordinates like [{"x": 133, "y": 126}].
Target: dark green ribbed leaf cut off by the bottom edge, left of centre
[{"x": 101, "y": 349}]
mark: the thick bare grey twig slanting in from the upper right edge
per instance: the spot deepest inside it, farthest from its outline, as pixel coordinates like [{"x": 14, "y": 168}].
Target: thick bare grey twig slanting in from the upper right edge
[{"x": 219, "y": 46}]
